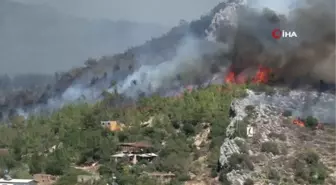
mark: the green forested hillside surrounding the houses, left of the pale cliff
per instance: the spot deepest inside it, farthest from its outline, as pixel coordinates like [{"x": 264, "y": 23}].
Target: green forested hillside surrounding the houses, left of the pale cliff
[{"x": 77, "y": 131}]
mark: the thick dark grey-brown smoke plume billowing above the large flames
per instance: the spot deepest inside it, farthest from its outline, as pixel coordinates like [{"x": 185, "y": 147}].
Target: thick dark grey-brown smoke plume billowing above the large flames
[{"x": 307, "y": 58}]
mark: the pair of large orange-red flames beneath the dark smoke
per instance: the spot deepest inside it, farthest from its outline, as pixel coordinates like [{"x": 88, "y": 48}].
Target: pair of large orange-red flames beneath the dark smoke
[{"x": 262, "y": 76}]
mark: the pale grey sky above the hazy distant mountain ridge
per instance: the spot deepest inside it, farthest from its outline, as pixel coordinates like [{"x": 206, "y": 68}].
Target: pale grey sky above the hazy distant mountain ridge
[{"x": 167, "y": 12}]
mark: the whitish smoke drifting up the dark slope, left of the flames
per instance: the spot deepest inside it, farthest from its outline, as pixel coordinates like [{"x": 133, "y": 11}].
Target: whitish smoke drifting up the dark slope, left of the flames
[{"x": 150, "y": 78}]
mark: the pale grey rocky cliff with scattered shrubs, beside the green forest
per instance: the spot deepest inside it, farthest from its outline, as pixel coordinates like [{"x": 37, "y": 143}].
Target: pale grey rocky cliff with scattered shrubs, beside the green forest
[{"x": 278, "y": 152}]
